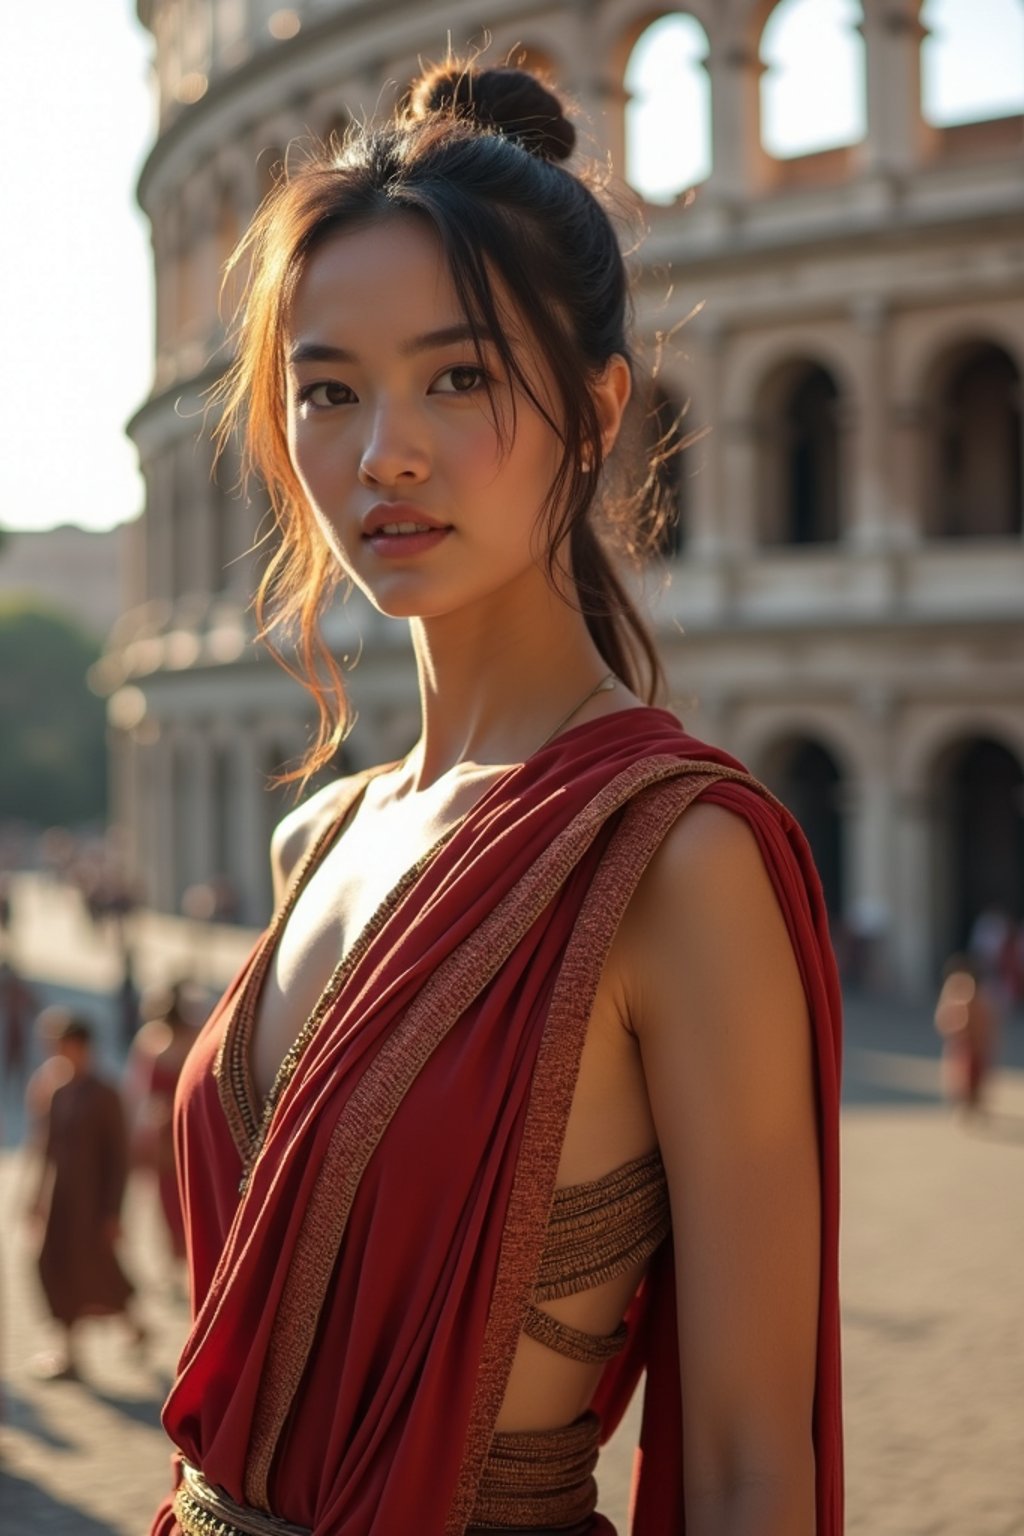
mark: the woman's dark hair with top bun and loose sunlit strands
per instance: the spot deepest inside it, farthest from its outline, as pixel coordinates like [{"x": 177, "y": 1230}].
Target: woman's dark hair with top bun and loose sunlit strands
[{"x": 517, "y": 230}]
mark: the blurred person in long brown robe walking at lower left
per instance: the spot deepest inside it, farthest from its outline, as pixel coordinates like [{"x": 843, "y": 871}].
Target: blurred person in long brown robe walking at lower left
[{"x": 79, "y": 1199}]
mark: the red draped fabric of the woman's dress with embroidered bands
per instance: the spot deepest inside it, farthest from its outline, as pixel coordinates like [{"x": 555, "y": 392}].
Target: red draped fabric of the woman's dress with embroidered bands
[{"x": 357, "y": 1305}]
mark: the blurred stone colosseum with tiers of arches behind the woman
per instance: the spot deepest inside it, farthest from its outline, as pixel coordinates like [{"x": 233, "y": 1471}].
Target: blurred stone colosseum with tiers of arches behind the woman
[{"x": 844, "y": 594}]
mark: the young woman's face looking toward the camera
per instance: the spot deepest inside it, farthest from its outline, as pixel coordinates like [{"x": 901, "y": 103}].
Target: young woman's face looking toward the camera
[{"x": 392, "y": 432}]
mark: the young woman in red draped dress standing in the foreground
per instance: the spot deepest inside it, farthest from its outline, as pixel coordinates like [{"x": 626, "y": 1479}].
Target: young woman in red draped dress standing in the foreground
[{"x": 517, "y": 1016}]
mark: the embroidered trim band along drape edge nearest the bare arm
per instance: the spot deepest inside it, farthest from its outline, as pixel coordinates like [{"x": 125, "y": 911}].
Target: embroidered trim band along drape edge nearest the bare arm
[{"x": 659, "y": 790}]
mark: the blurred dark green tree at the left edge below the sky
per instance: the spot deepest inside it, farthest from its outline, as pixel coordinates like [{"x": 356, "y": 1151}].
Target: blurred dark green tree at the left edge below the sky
[{"x": 53, "y": 729}]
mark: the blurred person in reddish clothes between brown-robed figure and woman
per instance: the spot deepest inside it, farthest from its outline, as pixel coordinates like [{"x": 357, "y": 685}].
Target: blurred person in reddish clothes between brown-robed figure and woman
[{"x": 151, "y": 1078}]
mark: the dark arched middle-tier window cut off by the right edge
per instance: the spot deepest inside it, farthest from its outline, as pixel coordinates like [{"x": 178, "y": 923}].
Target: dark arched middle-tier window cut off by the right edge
[{"x": 977, "y": 489}]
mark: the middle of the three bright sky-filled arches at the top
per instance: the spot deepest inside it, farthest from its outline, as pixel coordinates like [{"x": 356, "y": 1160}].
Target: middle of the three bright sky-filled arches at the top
[{"x": 813, "y": 88}]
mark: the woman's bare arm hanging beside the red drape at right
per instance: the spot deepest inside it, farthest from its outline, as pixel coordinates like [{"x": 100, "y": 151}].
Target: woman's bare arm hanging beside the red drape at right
[{"x": 721, "y": 1015}]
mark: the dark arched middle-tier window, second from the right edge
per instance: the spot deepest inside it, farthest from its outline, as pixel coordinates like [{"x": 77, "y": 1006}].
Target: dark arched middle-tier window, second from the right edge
[{"x": 801, "y": 457}]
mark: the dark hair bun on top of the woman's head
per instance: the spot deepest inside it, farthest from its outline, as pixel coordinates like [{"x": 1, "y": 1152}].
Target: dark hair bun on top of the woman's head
[{"x": 503, "y": 101}]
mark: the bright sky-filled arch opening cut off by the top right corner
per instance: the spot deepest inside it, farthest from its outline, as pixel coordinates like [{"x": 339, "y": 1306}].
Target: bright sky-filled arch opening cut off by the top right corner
[{"x": 973, "y": 61}]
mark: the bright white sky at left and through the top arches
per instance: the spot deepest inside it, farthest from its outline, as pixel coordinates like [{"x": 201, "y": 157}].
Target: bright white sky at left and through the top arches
[{"x": 76, "y": 119}]
